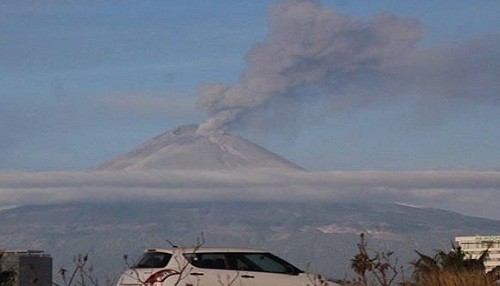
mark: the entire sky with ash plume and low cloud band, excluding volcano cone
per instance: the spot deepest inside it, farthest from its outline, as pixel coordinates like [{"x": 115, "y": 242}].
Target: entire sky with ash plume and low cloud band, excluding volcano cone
[{"x": 388, "y": 101}]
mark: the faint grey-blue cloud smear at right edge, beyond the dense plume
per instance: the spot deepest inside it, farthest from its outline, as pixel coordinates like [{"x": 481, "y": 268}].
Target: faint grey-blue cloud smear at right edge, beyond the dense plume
[{"x": 468, "y": 71}]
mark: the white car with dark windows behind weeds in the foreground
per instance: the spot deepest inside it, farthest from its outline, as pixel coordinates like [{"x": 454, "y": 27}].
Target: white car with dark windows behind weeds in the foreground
[{"x": 216, "y": 267}]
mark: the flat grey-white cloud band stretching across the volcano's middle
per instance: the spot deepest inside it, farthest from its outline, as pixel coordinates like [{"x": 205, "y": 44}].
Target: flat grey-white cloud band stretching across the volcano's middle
[{"x": 470, "y": 192}]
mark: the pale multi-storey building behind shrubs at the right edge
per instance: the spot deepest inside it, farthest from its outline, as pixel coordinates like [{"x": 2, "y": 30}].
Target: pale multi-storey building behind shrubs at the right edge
[{"x": 476, "y": 245}]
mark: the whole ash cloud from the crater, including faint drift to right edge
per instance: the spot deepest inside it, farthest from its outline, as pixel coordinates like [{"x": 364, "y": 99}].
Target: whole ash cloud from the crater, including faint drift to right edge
[{"x": 315, "y": 53}]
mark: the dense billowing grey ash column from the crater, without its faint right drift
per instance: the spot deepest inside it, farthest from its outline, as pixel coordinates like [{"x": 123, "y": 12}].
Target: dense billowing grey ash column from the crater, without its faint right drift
[{"x": 307, "y": 45}]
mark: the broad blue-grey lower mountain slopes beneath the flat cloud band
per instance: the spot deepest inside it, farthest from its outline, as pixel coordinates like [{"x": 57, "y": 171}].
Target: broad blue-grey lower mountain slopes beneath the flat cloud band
[{"x": 322, "y": 236}]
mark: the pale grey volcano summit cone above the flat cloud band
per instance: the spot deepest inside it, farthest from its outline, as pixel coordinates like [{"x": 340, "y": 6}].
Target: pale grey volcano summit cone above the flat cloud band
[{"x": 185, "y": 148}]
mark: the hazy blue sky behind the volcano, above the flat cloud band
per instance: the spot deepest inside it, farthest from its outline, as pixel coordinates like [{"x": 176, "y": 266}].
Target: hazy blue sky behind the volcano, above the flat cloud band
[{"x": 83, "y": 82}]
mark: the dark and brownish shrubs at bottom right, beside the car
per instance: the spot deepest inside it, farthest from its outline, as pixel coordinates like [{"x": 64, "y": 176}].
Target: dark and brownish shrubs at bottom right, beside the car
[{"x": 445, "y": 268}]
